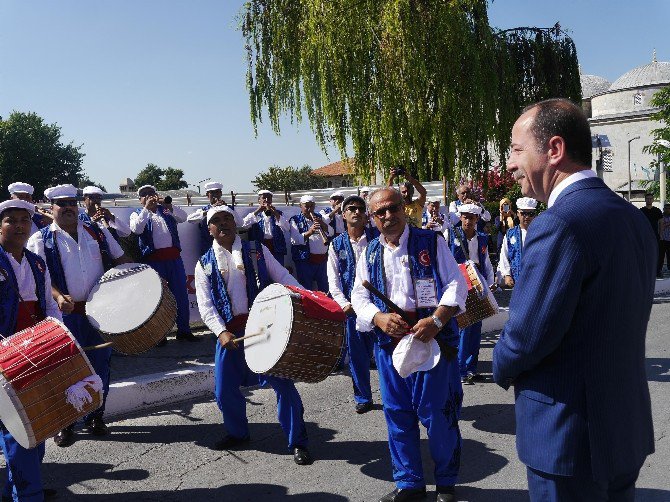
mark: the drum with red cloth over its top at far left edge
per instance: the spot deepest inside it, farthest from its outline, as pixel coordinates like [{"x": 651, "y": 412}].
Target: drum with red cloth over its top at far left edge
[{"x": 37, "y": 367}]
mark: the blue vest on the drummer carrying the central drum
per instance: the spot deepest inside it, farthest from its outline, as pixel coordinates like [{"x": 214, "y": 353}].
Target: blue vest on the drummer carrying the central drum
[{"x": 219, "y": 293}]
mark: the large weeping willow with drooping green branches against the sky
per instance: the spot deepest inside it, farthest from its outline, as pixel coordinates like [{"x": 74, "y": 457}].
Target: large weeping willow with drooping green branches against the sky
[{"x": 427, "y": 84}]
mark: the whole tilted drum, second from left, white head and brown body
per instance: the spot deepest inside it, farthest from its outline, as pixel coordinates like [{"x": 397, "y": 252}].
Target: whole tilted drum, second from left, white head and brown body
[{"x": 132, "y": 307}]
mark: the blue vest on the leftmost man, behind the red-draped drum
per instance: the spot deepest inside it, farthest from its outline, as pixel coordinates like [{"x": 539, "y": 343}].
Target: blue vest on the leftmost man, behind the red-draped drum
[{"x": 9, "y": 298}]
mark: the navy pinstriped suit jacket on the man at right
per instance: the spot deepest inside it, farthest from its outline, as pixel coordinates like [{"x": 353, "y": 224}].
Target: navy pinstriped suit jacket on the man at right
[{"x": 574, "y": 345}]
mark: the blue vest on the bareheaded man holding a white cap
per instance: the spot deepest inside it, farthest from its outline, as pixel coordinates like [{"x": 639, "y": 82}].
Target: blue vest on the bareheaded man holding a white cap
[{"x": 420, "y": 241}]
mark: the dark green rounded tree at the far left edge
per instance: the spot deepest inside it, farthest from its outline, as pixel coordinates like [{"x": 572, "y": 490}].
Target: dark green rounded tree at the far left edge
[{"x": 33, "y": 152}]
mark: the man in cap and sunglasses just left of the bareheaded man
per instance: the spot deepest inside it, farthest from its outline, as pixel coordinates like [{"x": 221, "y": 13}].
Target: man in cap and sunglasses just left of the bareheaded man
[{"x": 344, "y": 252}]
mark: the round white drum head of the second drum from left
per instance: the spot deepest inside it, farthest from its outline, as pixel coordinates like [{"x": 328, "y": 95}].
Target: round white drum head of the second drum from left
[{"x": 125, "y": 298}]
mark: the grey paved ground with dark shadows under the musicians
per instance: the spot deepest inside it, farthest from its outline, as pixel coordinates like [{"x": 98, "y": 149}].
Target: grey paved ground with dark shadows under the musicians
[{"x": 164, "y": 455}]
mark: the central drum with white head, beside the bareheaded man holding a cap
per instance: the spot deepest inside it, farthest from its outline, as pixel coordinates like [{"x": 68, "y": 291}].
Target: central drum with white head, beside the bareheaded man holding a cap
[{"x": 292, "y": 344}]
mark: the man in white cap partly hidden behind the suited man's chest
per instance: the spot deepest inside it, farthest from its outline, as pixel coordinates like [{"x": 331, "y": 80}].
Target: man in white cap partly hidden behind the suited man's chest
[{"x": 509, "y": 266}]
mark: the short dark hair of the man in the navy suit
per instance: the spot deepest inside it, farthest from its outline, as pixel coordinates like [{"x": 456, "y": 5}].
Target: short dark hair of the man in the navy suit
[{"x": 561, "y": 117}]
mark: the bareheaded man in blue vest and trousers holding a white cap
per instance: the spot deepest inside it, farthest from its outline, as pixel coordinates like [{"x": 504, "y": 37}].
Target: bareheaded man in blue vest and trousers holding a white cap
[{"x": 414, "y": 268}]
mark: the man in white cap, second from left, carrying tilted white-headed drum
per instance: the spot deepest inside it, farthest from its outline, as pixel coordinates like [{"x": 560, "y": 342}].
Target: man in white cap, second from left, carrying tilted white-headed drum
[{"x": 77, "y": 254}]
